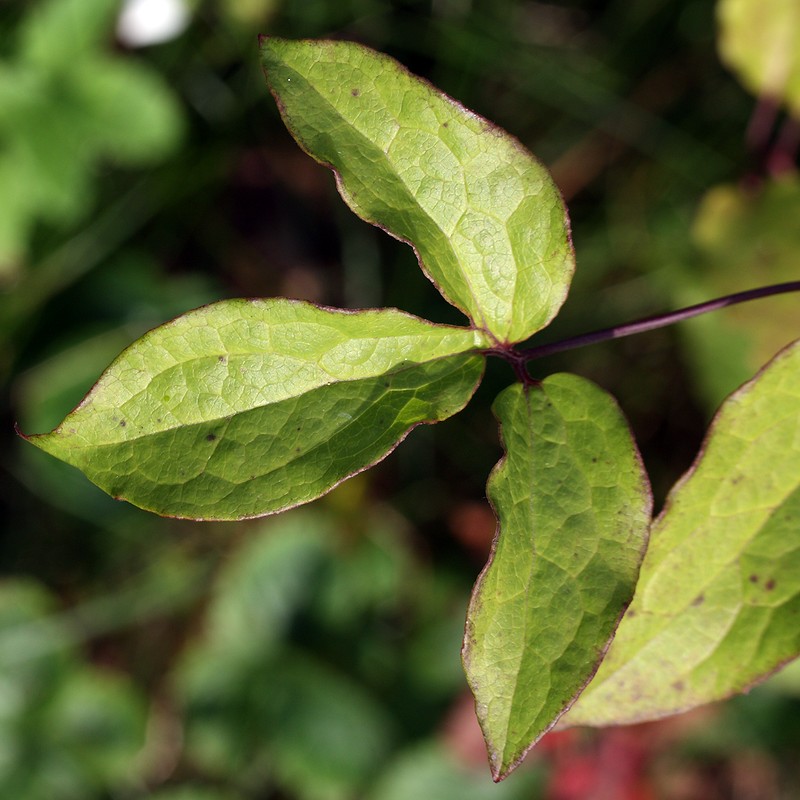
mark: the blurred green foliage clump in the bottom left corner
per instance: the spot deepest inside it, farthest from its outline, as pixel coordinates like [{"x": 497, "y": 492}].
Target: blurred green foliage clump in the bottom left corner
[{"x": 67, "y": 729}]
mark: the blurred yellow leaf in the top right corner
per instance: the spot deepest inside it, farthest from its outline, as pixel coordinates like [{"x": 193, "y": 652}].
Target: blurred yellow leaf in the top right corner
[{"x": 760, "y": 41}]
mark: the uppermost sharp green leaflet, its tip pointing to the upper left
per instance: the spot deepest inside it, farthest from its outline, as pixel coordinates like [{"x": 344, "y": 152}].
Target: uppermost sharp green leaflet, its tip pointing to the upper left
[{"x": 484, "y": 217}]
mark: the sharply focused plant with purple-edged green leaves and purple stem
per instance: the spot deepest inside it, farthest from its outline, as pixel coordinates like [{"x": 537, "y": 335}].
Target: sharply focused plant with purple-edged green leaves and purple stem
[{"x": 249, "y": 407}]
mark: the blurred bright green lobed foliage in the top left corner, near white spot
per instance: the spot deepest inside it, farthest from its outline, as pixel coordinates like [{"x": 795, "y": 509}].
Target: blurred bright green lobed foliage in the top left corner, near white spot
[{"x": 68, "y": 103}]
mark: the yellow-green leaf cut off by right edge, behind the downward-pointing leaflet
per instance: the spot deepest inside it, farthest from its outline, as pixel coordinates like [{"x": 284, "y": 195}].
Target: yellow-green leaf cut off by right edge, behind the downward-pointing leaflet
[{"x": 718, "y": 601}]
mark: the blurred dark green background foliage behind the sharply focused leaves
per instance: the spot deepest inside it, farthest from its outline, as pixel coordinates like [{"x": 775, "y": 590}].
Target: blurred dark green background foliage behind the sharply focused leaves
[{"x": 144, "y": 171}]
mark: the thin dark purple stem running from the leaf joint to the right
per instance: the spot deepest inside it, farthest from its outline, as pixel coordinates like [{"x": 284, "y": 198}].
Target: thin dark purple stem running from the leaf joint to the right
[{"x": 657, "y": 321}]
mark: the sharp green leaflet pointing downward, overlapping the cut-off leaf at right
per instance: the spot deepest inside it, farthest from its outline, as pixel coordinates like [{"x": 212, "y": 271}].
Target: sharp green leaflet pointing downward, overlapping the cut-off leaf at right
[{"x": 573, "y": 504}]
